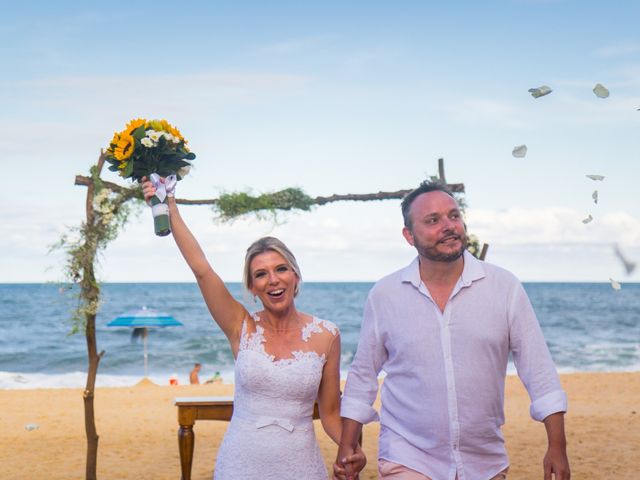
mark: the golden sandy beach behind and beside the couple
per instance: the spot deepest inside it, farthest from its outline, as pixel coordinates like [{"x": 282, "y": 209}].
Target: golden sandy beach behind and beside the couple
[{"x": 138, "y": 425}]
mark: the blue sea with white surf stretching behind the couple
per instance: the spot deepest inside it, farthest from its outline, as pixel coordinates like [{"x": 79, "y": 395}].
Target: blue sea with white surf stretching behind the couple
[{"x": 589, "y": 327}]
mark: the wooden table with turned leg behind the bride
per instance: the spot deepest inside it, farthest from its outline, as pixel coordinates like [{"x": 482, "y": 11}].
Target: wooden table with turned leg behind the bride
[{"x": 191, "y": 409}]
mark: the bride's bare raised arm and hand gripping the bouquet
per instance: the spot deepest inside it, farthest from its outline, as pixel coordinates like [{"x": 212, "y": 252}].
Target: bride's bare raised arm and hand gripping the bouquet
[{"x": 225, "y": 310}]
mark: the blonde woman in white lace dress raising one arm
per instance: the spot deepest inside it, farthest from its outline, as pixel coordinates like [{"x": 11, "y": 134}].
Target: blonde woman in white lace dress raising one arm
[{"x": 285, "y": 360}]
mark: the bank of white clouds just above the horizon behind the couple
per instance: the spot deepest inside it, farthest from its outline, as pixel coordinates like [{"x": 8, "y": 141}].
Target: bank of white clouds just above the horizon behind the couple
[{"x": 338, "y": 242}]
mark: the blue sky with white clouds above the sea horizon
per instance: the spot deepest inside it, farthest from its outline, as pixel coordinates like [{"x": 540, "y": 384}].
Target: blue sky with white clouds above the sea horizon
[{"x": 331, "y": 97}]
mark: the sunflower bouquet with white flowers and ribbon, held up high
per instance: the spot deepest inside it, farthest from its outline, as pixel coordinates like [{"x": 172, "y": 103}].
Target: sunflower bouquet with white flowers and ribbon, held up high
[{"x": 152, "y": 149}]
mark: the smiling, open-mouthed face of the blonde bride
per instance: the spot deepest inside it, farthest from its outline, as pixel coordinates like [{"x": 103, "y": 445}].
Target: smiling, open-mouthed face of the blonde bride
[{"x": 273, "y": 280}]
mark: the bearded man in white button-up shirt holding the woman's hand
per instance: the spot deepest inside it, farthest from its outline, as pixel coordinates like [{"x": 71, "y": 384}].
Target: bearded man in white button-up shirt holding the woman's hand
[{"x": 442, "y": 329}]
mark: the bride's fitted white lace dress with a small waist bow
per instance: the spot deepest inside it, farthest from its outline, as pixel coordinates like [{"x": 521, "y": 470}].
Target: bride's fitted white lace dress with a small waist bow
[{"x": 271, "y": 434}]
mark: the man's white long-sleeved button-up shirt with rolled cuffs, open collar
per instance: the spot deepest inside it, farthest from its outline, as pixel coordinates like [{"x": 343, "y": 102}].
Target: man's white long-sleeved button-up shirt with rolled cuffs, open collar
[{"x": 443, "y": 393}]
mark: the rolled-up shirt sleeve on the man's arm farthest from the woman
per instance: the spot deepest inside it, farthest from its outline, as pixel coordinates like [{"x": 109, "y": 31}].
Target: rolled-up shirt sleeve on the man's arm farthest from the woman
[{"x": 532, "y": 359}]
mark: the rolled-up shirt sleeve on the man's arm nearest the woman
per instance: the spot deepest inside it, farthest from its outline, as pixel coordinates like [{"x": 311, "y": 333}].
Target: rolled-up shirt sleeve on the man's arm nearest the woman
[{"x": 361, "y": 388}]
